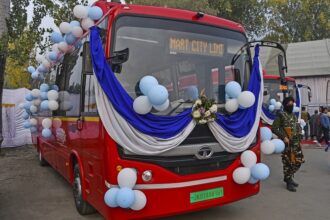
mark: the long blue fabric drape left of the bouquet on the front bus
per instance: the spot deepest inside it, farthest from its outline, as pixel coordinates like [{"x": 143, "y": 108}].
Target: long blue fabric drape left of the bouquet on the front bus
[{"x": 157, "y": 126}]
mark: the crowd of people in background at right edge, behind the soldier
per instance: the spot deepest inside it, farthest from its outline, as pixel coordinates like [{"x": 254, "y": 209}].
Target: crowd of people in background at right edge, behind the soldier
[{"x": 317, "y": 126}]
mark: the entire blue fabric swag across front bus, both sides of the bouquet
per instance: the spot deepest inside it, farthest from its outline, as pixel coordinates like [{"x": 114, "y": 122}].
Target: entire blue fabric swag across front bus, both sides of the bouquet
[{"x": 238, "y": 124}]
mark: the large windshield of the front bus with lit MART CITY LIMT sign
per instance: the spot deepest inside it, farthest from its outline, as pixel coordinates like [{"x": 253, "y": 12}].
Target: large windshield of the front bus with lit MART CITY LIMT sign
[{"x": 186, "y": 58}]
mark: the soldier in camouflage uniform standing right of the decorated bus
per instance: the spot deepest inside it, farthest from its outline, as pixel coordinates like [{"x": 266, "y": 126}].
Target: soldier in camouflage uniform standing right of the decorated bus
[{"x": 286, "y": 127}]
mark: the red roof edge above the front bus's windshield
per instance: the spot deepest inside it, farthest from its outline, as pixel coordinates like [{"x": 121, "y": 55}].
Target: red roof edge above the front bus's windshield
[{"x": 170, "y": 13}]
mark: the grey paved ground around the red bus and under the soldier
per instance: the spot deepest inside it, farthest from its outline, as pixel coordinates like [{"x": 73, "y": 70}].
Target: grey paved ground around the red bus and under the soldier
[{"x": 28, "y": 191}]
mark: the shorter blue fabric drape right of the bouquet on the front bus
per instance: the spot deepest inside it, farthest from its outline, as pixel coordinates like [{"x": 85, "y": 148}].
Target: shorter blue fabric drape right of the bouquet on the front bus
[{"x": 240, "y": 123}]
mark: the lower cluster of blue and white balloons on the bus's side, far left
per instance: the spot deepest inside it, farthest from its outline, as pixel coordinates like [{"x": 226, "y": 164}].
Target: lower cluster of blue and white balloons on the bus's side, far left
[{"x": 42, "y": 99}]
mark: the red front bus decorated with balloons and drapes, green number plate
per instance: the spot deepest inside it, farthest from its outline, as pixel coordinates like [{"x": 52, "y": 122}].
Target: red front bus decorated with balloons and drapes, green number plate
[{"x": 83, "y": 152}]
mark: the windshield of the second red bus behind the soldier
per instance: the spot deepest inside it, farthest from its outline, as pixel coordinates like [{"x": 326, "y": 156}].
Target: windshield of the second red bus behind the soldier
[{"x": 272, "y": 90}]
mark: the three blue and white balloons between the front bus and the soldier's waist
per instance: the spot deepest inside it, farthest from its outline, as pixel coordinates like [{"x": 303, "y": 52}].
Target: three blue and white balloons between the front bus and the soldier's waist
[{"x": 269, "y": 145}]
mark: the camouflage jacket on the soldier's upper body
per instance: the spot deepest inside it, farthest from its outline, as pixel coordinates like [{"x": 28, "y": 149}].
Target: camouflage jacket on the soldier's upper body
[{"x": 284, "y": 120}]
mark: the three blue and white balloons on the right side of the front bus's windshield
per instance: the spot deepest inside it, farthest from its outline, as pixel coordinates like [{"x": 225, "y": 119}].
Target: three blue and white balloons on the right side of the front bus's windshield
[{"x": 235, "y": 98}]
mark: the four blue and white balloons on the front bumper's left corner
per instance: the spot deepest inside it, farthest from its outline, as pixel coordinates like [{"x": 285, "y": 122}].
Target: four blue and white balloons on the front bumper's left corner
[{"x": 125, "y": 196}]
